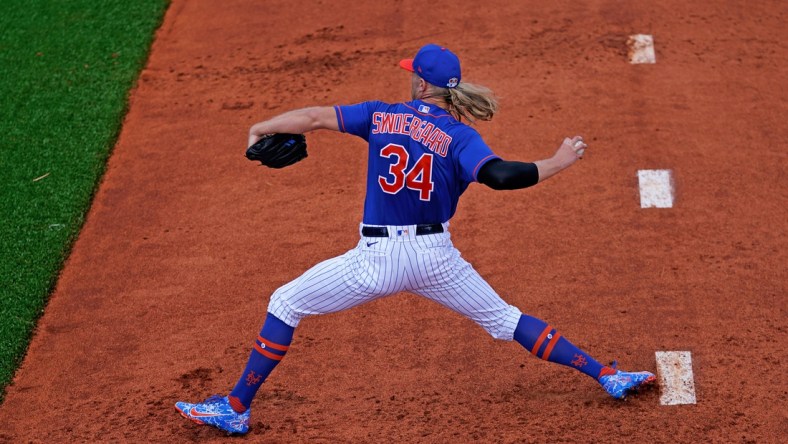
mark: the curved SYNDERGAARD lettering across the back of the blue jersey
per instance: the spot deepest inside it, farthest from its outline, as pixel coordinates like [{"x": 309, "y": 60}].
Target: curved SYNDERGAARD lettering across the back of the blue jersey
[{"x": 407, "y": 124}]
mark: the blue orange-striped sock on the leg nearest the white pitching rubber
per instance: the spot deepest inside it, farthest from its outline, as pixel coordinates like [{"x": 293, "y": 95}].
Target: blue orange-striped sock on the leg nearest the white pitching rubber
[{"x": 544, "y": 342}]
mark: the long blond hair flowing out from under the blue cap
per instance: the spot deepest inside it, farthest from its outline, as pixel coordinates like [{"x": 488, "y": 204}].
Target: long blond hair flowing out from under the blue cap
[{"x": 469, "y": 101}]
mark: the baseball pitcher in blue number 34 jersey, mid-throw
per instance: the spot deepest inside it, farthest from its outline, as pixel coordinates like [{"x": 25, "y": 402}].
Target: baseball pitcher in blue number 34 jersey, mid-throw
[{"x": 421, "y": 158}]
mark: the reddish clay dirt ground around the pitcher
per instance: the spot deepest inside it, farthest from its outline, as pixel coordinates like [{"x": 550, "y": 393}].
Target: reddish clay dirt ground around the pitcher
[{"x": 167, "y": 285}]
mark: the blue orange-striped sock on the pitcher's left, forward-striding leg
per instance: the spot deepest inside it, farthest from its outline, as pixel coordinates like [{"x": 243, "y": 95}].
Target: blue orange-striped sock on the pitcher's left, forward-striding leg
[{"x": 269, "y": 348}]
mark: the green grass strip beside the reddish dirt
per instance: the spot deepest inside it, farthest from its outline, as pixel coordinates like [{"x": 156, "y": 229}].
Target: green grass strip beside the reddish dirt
[{"x": 66, "y": 67}]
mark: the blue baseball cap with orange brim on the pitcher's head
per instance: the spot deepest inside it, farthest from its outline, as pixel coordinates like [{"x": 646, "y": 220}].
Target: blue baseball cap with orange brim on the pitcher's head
[{"x": 435, "y": 64}]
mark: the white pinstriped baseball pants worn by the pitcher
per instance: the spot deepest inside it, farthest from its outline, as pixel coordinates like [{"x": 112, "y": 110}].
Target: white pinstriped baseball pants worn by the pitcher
[{"x": 427, "y": 265}]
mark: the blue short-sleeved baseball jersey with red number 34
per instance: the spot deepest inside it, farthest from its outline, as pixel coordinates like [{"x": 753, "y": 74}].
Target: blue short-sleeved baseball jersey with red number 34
[{"x": 421, "y": 159}]
